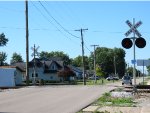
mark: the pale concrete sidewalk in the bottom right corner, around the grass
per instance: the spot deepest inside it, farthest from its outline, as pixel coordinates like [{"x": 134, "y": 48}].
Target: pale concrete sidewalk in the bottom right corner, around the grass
[{"x": 143, "y": 101}]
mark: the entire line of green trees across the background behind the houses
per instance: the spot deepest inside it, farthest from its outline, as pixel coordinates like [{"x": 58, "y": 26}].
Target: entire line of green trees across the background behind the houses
[{"x": 106, "y": 58}]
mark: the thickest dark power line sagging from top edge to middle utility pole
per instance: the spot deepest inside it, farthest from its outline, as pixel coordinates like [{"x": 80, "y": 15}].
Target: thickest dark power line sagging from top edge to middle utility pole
[{"x": 57, "y": 21}]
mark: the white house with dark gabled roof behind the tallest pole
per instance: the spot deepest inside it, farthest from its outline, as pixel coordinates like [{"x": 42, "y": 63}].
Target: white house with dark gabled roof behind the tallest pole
[{"x": 43, "y": 69}]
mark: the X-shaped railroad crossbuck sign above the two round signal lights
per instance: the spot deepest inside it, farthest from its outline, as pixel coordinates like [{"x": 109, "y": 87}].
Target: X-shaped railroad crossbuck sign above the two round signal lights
[{"x": 133, "y": 28}]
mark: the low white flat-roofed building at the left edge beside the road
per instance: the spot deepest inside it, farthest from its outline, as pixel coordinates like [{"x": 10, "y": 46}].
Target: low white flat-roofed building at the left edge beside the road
[{"x": 10, "y": 76}]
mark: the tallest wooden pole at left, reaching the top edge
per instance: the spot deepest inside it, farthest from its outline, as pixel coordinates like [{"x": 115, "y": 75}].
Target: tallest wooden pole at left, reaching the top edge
[{"x": 27, "y": 44}]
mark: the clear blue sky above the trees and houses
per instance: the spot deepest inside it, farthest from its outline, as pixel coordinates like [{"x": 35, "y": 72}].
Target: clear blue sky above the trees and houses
[{"x": 105, "y": 22}]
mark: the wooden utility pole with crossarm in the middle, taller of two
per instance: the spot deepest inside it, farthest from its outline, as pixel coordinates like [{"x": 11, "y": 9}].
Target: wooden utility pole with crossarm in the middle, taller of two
[{"x": 82, "y": 42}]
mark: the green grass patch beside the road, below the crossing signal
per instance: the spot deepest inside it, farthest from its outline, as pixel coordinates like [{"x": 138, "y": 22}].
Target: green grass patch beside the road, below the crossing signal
[{"x": 107, "y": 100}]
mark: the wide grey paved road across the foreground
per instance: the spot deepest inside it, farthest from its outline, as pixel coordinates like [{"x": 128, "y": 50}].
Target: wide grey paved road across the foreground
[{"x": 50, "y": 99}]
